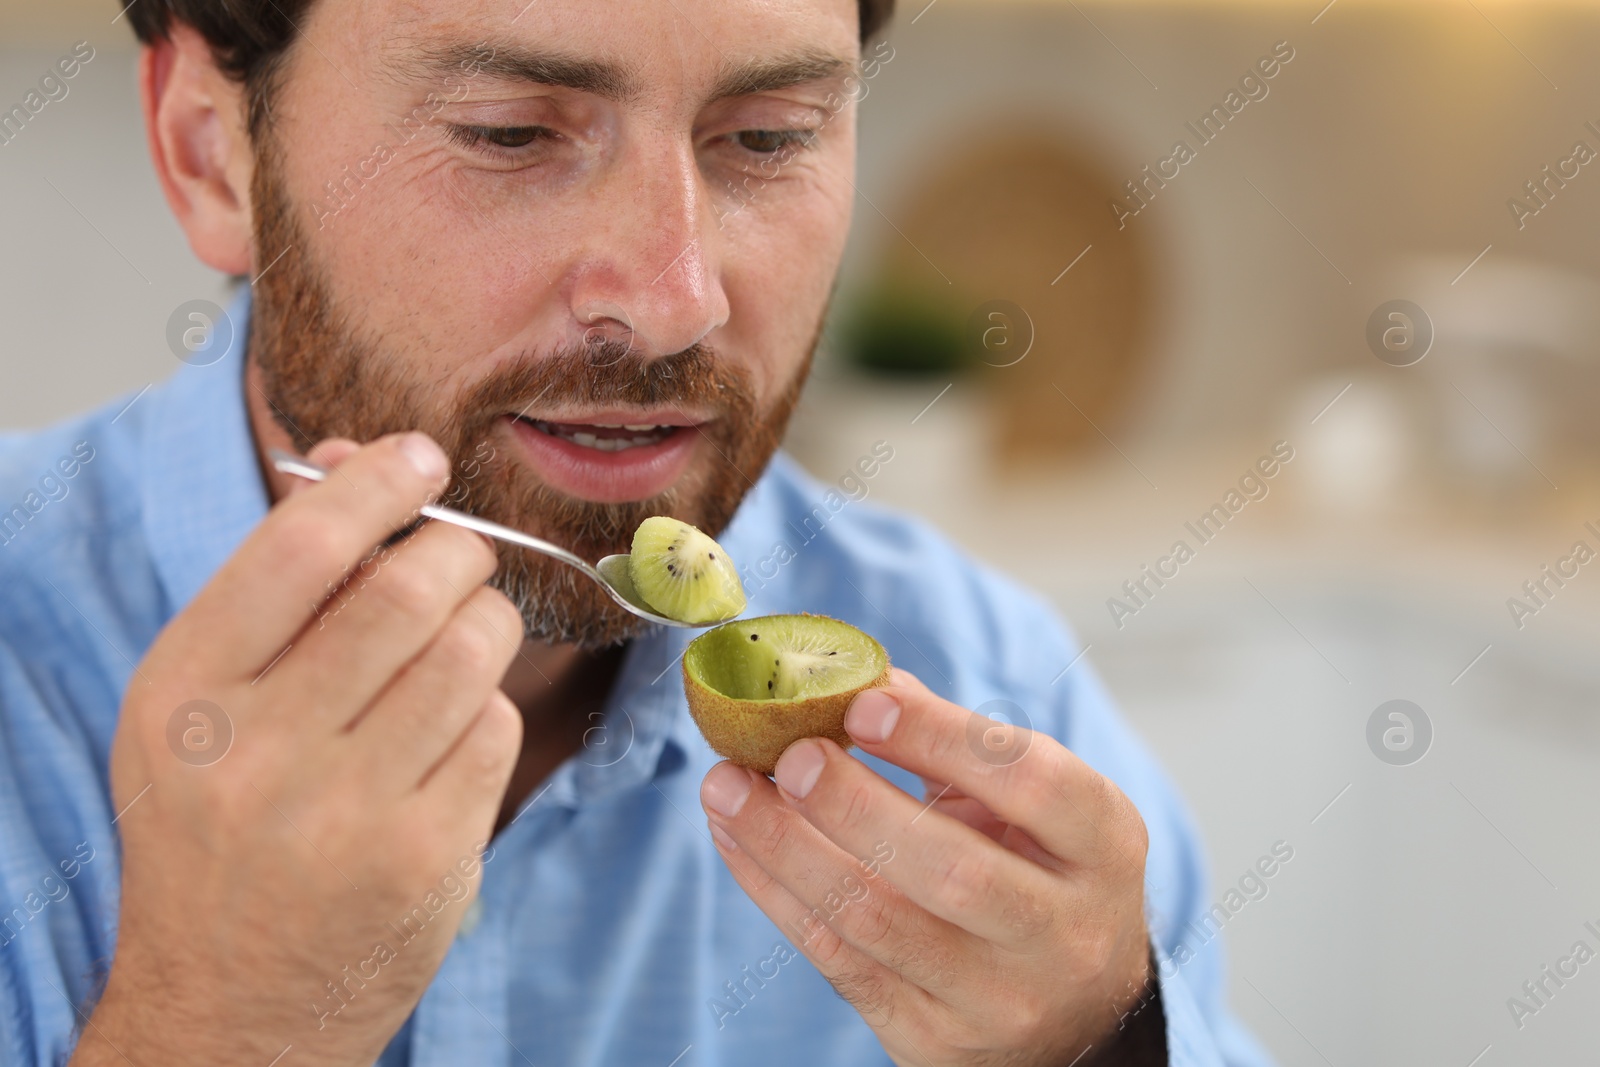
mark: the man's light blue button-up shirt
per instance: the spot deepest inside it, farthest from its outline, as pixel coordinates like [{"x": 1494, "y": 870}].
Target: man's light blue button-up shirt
[{"x": 610, "y": 933}]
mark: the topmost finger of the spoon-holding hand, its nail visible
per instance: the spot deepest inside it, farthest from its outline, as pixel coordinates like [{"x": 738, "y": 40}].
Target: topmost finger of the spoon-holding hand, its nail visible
[{"x": 305, "y": 543}]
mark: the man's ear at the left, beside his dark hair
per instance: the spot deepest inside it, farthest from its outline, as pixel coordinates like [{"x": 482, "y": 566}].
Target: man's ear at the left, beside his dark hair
[{"x": 194, "y": 119}]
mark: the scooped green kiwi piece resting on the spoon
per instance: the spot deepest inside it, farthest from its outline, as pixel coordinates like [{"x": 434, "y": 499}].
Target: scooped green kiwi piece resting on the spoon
[{"x": 682, "y": 573}]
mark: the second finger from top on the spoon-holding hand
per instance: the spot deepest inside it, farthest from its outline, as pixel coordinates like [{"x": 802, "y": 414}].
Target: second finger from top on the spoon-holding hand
[{"x": 386, "y": 612}]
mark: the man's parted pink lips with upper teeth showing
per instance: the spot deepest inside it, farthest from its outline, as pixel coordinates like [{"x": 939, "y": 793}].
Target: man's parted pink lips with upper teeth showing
[{"x": 609, "y": 457}]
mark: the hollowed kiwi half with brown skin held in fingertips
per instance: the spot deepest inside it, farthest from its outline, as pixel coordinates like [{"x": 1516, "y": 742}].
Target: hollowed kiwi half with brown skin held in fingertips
[{"x": 759, "y": 685}]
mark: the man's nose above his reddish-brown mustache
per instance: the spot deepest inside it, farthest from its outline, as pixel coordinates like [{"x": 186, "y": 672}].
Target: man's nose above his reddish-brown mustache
[{"x": 649, "y": 276}]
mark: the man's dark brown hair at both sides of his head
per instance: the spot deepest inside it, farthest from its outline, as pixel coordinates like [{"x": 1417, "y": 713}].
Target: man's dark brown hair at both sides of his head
[{"x": 249, "y": 38}]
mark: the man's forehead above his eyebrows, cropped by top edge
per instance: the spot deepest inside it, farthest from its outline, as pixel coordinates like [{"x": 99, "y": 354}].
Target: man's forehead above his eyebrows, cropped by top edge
[{"x": 626, "y": 46}]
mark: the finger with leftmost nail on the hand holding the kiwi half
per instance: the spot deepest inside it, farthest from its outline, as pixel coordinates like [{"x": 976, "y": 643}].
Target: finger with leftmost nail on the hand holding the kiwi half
[{"x": 852, "y": 897}]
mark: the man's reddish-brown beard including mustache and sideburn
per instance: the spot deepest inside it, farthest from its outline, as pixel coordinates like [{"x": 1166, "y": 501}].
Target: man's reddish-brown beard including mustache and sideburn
[{"x": 324, "y": 377}]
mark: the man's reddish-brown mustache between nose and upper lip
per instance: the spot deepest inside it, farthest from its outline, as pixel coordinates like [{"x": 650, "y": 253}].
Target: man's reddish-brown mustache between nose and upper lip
[{"x": 617, "y": 374}]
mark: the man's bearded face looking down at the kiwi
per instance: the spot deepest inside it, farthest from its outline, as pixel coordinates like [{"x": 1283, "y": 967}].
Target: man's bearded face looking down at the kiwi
[{"x": 586, "y": 247}]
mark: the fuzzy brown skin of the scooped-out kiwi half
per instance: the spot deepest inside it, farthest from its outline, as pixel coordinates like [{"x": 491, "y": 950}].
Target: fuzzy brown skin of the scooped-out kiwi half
[{"x": 756, "y": 733}]
